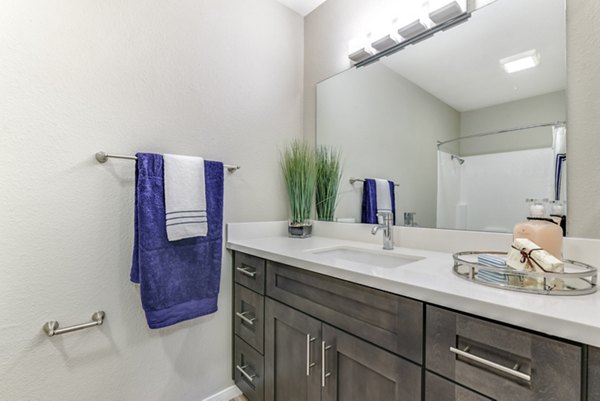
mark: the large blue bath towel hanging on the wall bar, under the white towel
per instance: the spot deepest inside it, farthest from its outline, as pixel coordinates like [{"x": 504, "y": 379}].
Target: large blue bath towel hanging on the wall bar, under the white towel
[{"x": 178, "y": 280}]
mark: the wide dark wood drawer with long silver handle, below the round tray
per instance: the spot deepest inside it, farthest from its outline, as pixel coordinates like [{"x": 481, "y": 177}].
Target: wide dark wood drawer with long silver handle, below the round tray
[{"x": 501, "y": 362}]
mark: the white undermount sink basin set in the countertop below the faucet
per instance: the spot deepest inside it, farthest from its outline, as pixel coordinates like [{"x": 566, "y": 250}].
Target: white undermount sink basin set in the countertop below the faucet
[{"x": 366, "y": 256}]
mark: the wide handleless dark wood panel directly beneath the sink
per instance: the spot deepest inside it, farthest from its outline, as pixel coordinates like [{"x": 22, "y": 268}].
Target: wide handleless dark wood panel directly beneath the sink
[{"x": 390, "y": 321}]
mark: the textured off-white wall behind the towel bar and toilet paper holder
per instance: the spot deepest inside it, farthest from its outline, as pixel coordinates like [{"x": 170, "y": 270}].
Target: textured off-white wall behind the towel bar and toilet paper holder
[{"x": 218, "y": 78}]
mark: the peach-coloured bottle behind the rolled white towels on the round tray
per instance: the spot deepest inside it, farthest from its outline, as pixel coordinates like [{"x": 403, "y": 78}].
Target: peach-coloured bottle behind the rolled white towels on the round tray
[{"x": 541, "y": 230}]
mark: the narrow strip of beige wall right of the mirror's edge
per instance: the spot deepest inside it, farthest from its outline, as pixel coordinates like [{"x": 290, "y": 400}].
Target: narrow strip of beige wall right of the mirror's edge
[{"x": 583, "y": 113}]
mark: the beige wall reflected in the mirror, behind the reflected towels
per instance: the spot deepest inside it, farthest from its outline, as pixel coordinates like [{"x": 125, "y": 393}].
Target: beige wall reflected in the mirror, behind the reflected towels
[{"x": 367, "y": 115}]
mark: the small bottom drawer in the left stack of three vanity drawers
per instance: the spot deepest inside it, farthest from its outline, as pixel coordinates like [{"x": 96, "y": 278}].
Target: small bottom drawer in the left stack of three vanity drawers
[{"x": 249, "y": 369}]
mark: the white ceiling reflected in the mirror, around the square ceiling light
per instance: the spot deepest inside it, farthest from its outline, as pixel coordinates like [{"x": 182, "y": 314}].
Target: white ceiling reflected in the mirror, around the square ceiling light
[{"x": 461, "y": 65}]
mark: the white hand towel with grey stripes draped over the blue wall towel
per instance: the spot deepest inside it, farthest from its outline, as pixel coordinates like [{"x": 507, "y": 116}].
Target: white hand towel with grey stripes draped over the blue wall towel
[{"x": 185, "y": 197}]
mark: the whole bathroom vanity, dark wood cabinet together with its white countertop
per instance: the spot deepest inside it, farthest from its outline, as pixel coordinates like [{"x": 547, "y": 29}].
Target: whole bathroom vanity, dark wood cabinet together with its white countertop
[{"x": 307, "y": 329}]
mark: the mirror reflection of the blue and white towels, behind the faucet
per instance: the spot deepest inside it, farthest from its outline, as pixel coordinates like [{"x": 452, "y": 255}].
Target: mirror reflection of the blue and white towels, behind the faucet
[{"x": 378, "y": 195}]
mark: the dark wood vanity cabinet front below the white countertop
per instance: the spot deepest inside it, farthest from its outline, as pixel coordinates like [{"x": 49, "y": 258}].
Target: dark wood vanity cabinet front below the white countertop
[{"x": 303, "y": 336}]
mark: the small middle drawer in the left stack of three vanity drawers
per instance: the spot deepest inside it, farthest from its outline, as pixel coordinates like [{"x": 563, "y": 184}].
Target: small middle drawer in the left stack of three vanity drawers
[{"x": 249, "y": 316}]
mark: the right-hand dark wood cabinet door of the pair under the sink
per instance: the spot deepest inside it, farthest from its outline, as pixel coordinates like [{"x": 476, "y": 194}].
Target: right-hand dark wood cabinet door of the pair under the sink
[{"x": 355, "y": 370}]
